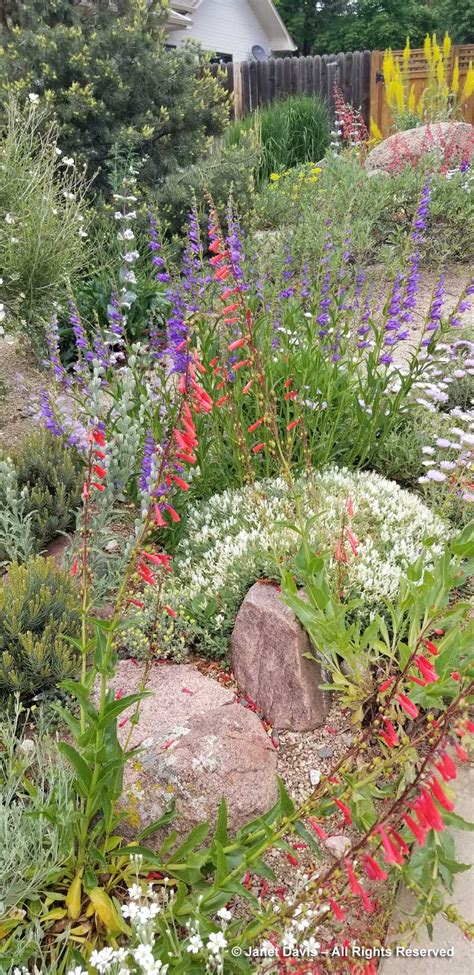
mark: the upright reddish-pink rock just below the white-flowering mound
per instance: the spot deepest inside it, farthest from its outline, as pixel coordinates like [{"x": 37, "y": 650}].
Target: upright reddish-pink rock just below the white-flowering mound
[{"x": 267, "y": 654}]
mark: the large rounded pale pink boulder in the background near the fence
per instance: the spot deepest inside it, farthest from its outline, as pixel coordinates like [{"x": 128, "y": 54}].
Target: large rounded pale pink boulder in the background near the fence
[{"x": 455, "y": 139}]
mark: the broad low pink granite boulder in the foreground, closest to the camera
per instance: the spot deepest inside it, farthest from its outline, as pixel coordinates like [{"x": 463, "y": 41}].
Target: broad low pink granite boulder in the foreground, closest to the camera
[{"x": 199, "y": 747}]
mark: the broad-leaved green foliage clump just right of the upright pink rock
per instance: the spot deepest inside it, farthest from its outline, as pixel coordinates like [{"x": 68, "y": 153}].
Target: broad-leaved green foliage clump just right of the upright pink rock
[{"x": 357, "y": 656}]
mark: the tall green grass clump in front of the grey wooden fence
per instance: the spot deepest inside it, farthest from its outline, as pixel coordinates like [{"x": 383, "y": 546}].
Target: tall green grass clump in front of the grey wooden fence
[{"x": 290, "y": 132}]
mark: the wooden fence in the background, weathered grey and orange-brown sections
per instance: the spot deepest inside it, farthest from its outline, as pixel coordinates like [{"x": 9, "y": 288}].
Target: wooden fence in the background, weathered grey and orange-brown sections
[{"x": 359, "y": 74}]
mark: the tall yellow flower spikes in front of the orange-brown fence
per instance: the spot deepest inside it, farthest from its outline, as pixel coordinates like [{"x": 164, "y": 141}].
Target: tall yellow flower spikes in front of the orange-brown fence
[{"x": 441, "y": 100}]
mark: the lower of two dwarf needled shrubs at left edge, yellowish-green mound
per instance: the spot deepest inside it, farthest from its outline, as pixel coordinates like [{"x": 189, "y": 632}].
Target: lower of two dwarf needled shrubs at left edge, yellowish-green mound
[{"x": 38, "y": 609}]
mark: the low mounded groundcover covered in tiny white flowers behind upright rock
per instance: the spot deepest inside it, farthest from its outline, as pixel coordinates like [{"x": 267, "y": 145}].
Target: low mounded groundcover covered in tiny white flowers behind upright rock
[{"x": 239, "y": 536}]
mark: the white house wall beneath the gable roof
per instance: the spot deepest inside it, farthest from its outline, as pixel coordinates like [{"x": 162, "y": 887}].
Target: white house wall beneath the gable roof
[{"x": 226, "y": 26}]
